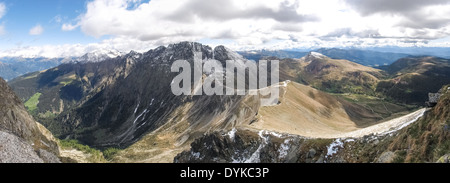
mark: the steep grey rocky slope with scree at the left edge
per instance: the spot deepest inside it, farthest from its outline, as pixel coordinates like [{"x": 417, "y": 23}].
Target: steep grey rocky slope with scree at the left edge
[{"x": 21, "y": 140}]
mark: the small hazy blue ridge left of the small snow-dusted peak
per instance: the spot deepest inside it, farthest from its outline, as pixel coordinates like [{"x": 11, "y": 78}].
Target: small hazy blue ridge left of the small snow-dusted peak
[{"x": 257, "y": 55}]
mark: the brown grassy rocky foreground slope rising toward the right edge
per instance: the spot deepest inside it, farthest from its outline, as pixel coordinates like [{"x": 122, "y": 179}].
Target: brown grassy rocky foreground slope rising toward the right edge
[{"x": 426, "y": 140}]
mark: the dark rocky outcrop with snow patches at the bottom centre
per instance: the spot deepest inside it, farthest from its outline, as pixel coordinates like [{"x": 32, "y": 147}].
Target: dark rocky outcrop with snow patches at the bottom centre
[{"x": 246, "y": 146}]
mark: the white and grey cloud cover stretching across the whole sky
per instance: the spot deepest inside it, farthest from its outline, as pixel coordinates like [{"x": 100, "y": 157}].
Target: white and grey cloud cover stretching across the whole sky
[{"x": 256, "y": 24}]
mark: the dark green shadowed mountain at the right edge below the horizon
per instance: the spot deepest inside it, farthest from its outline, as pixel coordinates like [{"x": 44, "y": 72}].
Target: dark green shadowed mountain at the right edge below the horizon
[{"x": 412, "y": 78}]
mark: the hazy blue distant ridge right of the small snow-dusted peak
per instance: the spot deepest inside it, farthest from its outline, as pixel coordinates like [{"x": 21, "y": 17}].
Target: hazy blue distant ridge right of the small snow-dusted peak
[{"x": 363, "y": 57}]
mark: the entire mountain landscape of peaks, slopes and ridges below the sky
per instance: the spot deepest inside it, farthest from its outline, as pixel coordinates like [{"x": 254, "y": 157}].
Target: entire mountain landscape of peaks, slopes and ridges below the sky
[{"x": 122, "y": 104}]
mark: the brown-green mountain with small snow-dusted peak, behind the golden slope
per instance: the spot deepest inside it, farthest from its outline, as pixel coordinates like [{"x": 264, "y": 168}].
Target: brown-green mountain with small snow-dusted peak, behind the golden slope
[{"x": 331, "y": 75}]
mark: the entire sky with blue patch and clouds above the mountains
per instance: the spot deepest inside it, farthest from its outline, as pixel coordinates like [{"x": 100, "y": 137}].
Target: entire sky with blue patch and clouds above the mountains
[{"x": 64, "y": 28}]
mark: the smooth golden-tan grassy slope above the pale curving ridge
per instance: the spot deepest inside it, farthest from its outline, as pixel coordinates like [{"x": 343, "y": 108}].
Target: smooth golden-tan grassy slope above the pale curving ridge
[{"x": 308, "y": 112}]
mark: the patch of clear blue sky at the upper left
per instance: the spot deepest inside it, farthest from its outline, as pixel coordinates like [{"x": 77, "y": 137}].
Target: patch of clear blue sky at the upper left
[{"x": 22, "y": 15}]
